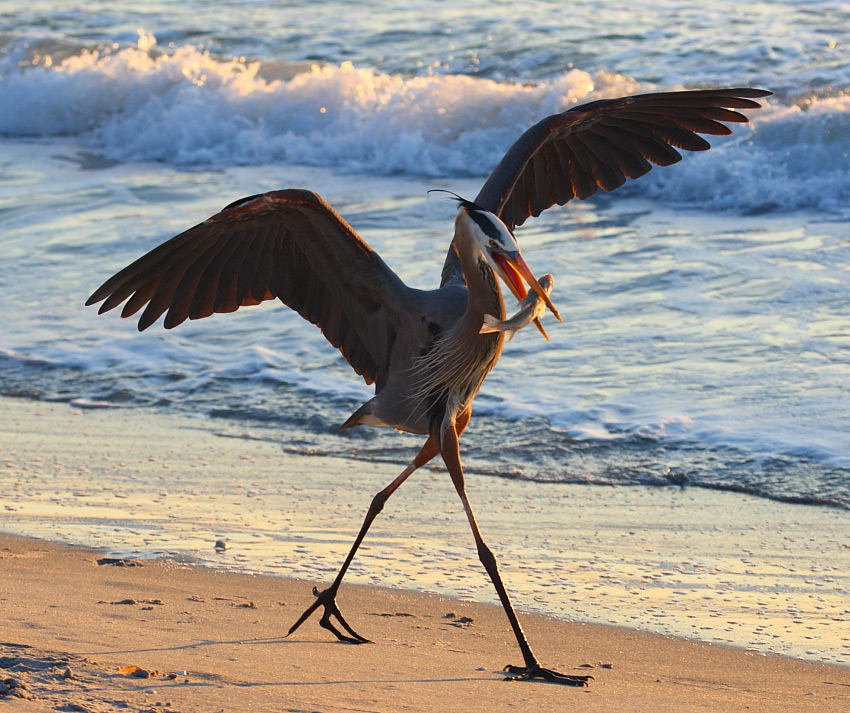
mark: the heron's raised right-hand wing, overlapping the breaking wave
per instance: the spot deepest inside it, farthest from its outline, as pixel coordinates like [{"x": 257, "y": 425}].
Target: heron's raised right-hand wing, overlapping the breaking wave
[{"x": 600, "y": 145}]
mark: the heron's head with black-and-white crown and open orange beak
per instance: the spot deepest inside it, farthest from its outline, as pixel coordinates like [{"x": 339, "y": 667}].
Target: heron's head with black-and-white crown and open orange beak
[{"x": 501, "y": 249}]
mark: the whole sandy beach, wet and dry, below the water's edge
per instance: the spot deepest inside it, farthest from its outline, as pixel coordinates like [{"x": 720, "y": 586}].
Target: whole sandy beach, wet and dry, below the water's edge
[{"x": 69, "y": 608}]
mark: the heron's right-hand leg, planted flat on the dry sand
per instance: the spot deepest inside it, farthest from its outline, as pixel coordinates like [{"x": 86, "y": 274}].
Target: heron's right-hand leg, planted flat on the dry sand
[{"x": 532, "y": 669}]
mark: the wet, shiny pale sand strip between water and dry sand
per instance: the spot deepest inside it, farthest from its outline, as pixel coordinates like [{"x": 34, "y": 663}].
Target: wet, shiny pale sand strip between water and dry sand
[{"x": 706, "y": 566}]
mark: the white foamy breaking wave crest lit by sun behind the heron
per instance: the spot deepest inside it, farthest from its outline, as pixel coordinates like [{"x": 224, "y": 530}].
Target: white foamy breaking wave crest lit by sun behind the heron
[{"x": 183, "y": 106}]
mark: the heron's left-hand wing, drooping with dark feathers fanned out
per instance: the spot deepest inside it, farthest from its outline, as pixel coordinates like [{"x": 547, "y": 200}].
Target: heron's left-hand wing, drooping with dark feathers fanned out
[{"x": 289, "y": 245}]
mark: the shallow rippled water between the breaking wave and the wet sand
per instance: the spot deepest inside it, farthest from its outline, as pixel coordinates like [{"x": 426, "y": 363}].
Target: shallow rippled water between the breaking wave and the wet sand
[{"x": 692, "y": 352}]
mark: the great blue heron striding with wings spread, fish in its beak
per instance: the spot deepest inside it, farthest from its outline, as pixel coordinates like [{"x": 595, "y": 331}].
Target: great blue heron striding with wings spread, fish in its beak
[{"x": 422, "y": 349}]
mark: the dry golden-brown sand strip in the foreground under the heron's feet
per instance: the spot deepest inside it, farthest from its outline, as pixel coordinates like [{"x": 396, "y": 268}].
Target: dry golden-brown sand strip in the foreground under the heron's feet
[{"x": 213, "y": 641}]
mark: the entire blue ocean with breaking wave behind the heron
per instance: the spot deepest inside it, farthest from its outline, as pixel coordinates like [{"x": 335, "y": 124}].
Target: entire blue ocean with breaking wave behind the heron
[{"x": 706, "y": 340}]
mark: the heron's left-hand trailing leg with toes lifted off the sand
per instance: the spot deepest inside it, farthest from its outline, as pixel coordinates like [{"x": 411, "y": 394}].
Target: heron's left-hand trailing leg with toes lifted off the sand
[{"x": 327, "y": 598}]
